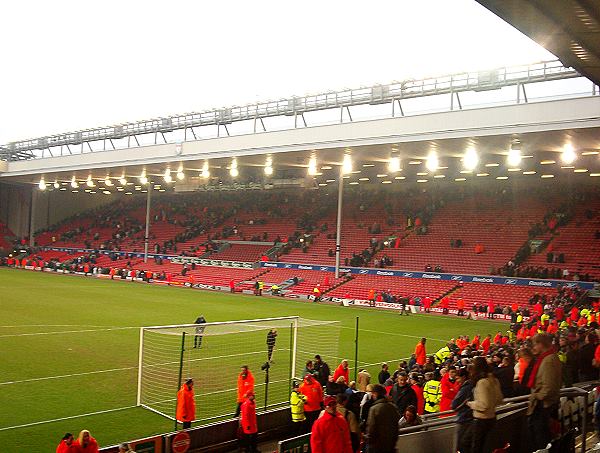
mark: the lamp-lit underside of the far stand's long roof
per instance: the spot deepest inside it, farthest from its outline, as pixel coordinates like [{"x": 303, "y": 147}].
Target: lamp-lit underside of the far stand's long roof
[{"x": 541, "y": 152}]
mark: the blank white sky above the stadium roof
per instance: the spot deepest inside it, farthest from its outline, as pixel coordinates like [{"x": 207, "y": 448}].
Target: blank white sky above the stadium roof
[{"x": 69, "y": 65}]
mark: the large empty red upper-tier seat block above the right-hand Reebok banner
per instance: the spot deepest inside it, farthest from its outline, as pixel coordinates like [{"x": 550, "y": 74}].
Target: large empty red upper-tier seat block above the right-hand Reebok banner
[{"x": 500, "y": 226}]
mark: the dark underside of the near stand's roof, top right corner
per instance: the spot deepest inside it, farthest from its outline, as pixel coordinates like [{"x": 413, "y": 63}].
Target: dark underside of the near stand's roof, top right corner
[{"x": 570, "y": 29}]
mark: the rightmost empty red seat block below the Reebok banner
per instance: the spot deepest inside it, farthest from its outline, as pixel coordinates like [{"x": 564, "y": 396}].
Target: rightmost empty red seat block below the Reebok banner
[{"x": 476, "y": 293}]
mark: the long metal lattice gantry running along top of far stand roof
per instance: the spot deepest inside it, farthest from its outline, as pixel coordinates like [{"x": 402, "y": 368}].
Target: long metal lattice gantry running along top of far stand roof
[{"x": 297, "y": 106}]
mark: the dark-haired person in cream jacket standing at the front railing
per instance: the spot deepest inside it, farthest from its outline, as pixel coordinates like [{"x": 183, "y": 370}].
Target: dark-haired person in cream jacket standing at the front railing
[{"x": 486, "y": 397}]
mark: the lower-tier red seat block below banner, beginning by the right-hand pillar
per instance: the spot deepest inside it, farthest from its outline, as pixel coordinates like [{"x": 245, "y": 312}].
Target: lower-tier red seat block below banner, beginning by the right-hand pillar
[{"x": 359, "y": 286}]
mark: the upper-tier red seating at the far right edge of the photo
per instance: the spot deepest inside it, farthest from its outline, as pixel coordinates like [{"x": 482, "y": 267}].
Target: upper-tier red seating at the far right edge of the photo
[{"x": 577, "y": 241}]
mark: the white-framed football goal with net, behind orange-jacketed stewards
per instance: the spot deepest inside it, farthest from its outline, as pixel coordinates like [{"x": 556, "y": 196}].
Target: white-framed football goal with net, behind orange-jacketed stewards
[{"x": 213, "y": 353}]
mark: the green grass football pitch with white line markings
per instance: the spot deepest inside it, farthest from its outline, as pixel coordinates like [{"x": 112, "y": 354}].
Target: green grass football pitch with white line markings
[{"x": 69, "y": 347}]
